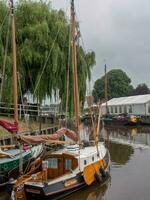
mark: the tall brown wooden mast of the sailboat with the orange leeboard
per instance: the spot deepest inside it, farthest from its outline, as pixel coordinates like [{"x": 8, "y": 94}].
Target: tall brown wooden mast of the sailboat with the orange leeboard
[{"x": 74, "y": 64}]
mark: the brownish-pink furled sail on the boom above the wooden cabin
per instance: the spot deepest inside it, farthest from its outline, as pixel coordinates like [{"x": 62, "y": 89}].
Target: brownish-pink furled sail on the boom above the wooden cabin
[{"x": 45, "y": 138}]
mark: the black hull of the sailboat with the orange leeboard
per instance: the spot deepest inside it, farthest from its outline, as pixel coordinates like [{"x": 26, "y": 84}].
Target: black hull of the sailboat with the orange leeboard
[{"x": 62, "y": 188}]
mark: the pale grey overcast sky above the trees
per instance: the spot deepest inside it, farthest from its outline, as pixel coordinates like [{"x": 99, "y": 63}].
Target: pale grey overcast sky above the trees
[{"x": 119, "y": 33}]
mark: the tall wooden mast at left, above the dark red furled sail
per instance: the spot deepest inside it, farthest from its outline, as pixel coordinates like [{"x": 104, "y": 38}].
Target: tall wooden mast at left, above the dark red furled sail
[{"x": 15, "y": 93}]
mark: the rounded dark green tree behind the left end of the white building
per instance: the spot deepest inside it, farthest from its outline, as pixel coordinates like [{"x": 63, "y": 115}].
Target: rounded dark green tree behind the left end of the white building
[{"x": 119, "y": 84}]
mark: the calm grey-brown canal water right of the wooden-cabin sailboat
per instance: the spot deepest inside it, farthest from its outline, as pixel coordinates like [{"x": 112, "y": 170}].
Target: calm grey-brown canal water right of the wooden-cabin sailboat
[{"x": 130, "y": 169}]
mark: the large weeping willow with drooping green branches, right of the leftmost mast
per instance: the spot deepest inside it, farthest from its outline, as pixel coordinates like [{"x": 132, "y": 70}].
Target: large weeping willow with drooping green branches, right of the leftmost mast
[{"x": 43, "y": 51}]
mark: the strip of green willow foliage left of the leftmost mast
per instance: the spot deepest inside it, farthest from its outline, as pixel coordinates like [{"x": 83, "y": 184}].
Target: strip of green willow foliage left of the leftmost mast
[{"x": 5, "y": 54}]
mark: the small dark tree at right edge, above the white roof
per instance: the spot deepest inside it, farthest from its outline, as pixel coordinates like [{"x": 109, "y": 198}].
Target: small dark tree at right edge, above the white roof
[{"x": 141, "y": 88}]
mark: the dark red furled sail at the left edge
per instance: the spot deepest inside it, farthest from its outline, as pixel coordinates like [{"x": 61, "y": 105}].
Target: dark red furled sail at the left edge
[{"x": 11, "y": 127}]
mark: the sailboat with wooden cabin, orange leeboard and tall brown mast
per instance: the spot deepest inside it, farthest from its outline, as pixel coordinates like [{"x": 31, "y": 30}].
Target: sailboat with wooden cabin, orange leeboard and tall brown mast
[{"x": 71, "y": 168}]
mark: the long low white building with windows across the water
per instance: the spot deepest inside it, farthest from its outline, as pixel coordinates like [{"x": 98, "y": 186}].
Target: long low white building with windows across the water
[{"x": 137, "y": 105}]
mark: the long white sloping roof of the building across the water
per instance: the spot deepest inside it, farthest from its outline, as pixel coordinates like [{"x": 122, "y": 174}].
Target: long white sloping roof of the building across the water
[{"x": 138, "y": 99}]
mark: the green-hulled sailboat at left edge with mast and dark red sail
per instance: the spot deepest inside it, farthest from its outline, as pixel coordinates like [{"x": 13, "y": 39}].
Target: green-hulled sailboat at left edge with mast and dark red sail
[{"x": 10, "y": 156}]
